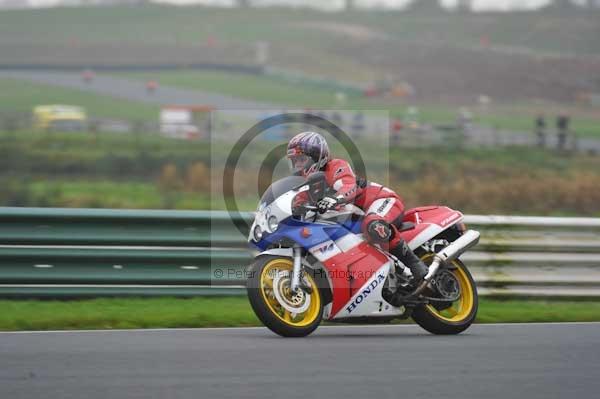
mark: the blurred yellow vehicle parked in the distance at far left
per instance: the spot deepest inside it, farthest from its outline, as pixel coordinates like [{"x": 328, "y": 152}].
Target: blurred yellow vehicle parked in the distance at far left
[{"x": 63, "y": 118}]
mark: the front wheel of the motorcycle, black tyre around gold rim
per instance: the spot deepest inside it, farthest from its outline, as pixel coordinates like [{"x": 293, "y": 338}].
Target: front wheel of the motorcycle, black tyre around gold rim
[{"x": 284, "y": 312}]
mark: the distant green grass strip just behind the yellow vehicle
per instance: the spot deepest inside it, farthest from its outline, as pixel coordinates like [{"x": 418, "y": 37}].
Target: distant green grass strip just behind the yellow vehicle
[{"x": 21, "y": 96}]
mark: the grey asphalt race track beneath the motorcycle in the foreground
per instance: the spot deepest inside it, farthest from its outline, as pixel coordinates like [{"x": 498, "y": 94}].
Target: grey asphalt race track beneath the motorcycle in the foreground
[{"x": 488, "y": 361}]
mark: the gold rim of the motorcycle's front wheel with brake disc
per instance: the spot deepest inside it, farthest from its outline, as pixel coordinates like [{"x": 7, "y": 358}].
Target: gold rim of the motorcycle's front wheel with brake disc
[{"x": 300, "y": 319}]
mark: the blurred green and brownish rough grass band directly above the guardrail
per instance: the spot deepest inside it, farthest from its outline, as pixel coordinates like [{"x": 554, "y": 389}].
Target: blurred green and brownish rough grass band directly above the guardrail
[{"x": 124, "y": 171}]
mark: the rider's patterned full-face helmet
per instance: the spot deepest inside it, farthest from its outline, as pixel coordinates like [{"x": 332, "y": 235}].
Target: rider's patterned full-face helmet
[{"x": 307, "y": 152}]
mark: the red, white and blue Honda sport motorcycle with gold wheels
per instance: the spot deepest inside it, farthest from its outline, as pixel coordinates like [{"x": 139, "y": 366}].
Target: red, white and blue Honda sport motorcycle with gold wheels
[{"x": 312, "y": 267}]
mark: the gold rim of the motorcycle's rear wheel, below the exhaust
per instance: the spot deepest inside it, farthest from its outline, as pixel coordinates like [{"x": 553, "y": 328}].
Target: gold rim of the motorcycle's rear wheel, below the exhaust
[{"x": 463, "y": 306}]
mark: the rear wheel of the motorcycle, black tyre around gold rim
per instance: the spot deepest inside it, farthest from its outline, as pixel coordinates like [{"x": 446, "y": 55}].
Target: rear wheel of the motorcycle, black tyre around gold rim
[{"x": 455, "y": 317}]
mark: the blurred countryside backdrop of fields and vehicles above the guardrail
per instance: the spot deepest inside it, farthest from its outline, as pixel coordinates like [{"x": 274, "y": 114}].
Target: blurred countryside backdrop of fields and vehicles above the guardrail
[{"x": 490, "y": 106}]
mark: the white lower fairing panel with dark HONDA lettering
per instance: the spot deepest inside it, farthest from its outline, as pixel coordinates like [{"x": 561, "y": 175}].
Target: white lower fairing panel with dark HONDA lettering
[{"x": 368, "y": 300}]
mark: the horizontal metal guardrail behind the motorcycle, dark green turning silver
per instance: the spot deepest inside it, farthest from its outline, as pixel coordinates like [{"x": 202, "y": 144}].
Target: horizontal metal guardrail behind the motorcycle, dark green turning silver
[{"x": 46, "y": 252}]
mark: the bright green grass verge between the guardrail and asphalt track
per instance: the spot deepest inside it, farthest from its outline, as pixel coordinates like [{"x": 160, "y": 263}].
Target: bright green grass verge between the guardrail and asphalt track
[{"x": 230, "y": 312}]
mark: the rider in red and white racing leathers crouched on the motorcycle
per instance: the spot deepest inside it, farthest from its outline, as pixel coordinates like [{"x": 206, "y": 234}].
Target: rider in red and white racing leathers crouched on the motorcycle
[{"x": 308, "y": 153}]
